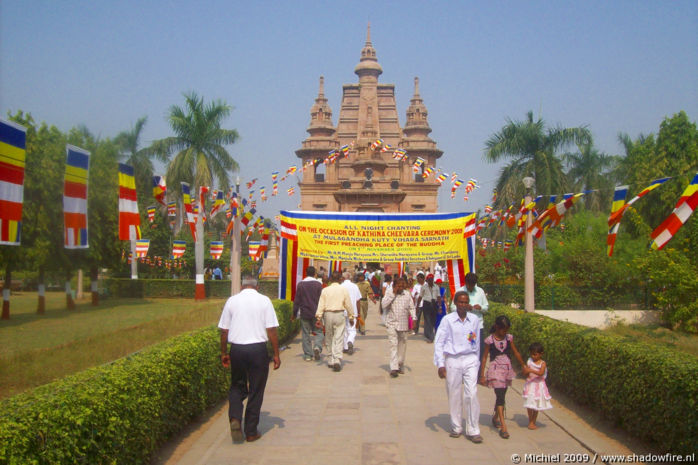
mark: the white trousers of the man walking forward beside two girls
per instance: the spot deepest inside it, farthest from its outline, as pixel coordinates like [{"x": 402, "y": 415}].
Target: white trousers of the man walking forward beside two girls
[{"x": 461, "y": 388}]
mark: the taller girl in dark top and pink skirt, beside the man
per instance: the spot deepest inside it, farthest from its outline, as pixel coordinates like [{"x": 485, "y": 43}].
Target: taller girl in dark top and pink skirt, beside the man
[{"x": 499, "y": 346}]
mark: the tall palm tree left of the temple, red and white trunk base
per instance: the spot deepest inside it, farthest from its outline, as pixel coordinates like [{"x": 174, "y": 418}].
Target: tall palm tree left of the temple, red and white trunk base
[{"x": 199, "y": 156}]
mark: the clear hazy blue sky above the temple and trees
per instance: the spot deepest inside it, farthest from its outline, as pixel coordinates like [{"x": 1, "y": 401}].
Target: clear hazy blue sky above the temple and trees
[{"x": 620, "y": 66}]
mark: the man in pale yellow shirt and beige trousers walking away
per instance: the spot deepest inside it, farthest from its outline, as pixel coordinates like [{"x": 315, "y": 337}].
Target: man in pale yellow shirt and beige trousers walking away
[{"x": 334, "y": 300}]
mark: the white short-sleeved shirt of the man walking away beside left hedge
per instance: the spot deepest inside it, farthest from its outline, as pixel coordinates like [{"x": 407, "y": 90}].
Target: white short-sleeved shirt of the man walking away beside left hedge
[{"x": 247, "y": 316}]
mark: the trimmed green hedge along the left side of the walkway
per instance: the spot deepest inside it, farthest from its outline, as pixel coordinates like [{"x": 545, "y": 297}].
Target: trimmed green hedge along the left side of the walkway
[{"x": 123, "y": 411}]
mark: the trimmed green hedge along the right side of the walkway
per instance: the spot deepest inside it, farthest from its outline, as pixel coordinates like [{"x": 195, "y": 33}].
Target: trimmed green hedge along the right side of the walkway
[{"x": 648, "y": 390}]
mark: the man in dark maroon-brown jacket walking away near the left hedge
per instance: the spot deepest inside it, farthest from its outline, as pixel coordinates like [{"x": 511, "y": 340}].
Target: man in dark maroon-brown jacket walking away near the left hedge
[{"x": 304, "y": 307}]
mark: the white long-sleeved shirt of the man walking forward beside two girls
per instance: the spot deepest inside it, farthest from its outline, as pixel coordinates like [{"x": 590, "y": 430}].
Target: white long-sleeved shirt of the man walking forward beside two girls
[{"x": 456, "y": 337}]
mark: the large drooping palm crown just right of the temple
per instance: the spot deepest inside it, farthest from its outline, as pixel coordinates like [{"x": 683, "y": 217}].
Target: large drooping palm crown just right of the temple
[{"x": 533, "y": 150}]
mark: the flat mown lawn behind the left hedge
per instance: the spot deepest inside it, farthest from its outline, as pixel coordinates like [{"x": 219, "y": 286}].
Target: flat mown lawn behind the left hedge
[{"x": 38, "y": 349}]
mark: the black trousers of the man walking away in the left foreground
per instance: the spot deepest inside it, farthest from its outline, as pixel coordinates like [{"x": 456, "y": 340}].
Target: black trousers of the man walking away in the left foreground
[{"x": 249, "y": 370}]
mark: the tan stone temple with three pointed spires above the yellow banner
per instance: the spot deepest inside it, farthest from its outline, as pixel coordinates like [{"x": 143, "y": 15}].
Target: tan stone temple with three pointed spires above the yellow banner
[{"x": 367, "y": 179}]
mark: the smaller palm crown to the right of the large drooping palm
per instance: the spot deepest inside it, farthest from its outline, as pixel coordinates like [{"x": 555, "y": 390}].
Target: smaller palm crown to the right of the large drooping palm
[{"x": 589, "y": 170}]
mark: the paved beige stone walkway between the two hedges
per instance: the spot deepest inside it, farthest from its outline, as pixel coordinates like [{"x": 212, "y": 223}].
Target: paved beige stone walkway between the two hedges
[{"x": 312, "y": 415}]
